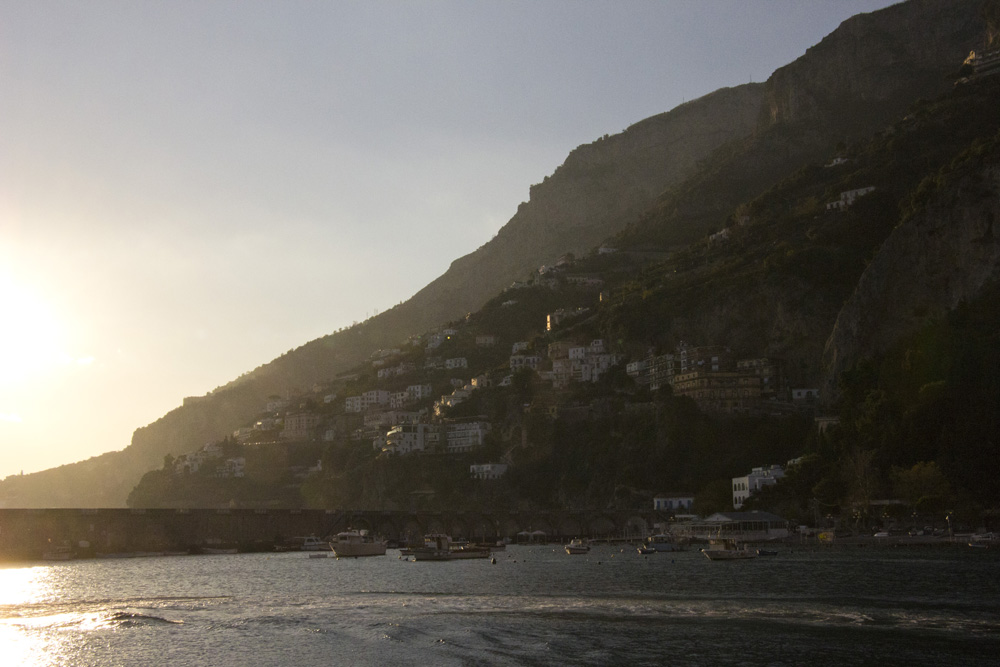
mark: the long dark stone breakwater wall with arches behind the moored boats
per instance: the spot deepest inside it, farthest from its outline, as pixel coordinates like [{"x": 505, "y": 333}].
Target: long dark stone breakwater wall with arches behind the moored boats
[{"x": 26, "y": 534}]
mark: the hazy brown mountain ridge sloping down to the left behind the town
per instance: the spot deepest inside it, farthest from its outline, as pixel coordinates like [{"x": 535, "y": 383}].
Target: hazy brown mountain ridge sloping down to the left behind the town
[{"x": 665, "y": 181}]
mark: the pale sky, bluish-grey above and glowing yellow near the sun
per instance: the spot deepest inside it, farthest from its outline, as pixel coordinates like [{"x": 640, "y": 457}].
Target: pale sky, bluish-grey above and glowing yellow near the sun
[{"x": 188, "y": 189}]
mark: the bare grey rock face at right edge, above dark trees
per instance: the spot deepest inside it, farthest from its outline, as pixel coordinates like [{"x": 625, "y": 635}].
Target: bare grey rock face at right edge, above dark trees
[{"x": 943, "y": 255}]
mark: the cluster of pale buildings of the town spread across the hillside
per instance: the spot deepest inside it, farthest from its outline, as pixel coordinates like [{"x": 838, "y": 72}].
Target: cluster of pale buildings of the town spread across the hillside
[{"x": 410, "y": 400}]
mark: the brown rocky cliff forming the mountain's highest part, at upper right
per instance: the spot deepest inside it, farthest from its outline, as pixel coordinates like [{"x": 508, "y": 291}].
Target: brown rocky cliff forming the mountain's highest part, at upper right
[{"x": 853, "y": 83}]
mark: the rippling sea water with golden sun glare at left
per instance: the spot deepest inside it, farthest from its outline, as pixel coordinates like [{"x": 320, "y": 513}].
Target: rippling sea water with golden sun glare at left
[{"x": 528, "y": 605}]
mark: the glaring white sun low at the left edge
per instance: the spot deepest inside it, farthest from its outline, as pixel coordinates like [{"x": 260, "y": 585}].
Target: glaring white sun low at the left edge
[{"x": 31, "y": 335}]
